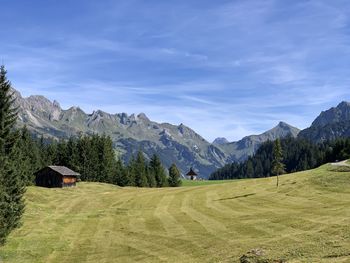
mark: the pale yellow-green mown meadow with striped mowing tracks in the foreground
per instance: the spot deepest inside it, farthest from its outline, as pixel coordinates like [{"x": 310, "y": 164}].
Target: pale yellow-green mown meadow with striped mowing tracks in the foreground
[{"x": 306, "y": 219}]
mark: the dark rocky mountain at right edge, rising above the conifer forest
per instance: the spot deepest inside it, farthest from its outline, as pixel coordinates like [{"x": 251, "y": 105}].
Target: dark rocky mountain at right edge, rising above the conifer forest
[{"x": 329, "y": 125}]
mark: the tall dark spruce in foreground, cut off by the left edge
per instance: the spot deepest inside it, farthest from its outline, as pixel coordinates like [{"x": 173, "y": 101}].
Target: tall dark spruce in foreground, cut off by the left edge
[{"x": 11, "y": 175}]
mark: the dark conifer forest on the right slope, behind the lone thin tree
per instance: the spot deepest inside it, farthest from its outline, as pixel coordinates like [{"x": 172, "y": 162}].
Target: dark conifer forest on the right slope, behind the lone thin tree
[{"x": 298, "y": 155}]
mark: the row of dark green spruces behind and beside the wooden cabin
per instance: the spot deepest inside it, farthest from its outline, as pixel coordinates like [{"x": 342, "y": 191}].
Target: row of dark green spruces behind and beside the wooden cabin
[{"x": 94, "y": 158}]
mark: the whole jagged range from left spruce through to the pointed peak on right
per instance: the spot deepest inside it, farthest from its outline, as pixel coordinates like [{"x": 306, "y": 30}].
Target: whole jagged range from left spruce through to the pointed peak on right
[{"x": 173, "y": 143}]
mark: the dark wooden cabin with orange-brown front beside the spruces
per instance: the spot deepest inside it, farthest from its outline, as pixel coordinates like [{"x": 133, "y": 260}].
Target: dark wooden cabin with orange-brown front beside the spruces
[{"x": 56, "y": 176}]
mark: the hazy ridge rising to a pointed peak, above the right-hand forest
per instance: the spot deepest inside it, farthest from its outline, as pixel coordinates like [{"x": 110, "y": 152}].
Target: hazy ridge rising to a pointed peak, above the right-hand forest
[{"x": 240, "y": 150}]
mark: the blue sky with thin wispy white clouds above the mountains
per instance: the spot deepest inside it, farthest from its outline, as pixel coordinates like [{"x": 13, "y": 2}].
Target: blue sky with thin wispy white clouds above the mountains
[{"x": 224, "y": 68}]
